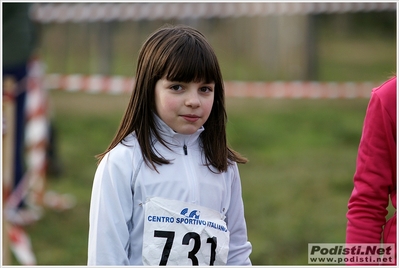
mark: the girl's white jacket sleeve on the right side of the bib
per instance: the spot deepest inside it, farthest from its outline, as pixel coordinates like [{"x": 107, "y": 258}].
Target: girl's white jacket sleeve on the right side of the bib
[{"x": 240, "y": 248}]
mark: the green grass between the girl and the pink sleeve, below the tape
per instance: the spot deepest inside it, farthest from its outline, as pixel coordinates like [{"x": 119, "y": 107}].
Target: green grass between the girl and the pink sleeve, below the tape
[{"x": 297, "y": 183}]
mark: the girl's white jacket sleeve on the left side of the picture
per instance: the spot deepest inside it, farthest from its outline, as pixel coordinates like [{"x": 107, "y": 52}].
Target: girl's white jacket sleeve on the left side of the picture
[{"x": 110, "y": 211}]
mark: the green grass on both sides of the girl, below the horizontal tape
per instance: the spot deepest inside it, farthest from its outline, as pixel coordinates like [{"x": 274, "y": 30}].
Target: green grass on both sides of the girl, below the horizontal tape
[{"x": 295, "y": 186}]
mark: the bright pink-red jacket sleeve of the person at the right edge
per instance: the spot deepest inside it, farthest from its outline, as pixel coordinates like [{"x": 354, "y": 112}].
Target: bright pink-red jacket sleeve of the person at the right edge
[{"x": 374, "y": 175}]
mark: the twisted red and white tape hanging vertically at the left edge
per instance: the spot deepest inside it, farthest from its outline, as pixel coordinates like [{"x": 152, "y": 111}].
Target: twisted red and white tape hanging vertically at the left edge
[{"x": 31, "y": 187}]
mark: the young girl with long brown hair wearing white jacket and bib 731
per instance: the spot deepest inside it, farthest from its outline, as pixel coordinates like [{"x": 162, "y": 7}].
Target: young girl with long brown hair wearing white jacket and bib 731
[{"x": 167, "y": 190}]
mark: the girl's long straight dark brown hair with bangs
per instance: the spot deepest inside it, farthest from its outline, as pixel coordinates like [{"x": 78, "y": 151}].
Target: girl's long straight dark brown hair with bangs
[{"x": 180, "y": 53}]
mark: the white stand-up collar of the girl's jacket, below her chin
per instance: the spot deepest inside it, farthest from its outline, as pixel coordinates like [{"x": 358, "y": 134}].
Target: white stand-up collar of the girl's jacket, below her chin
[{"x": 173, "y": 138}]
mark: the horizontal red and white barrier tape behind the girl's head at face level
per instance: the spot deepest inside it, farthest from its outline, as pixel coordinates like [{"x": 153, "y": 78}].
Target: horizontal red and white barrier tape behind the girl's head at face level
[{"x": 279, "y": 89}]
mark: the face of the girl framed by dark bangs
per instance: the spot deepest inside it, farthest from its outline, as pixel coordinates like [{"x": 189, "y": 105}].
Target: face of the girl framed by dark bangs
[{"x": 184, "y": 107}]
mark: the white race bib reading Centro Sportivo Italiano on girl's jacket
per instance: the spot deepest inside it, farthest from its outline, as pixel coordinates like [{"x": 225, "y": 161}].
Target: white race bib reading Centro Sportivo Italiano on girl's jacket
[{"x": 178, "y": 233}]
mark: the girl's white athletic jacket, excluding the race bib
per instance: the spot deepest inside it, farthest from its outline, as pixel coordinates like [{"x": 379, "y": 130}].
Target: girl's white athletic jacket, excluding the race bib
[{"x": 123, "y": 183}]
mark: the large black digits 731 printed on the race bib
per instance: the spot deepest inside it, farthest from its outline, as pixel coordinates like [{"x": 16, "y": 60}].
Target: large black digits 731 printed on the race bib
[{"x": 170, "y": 236}]
